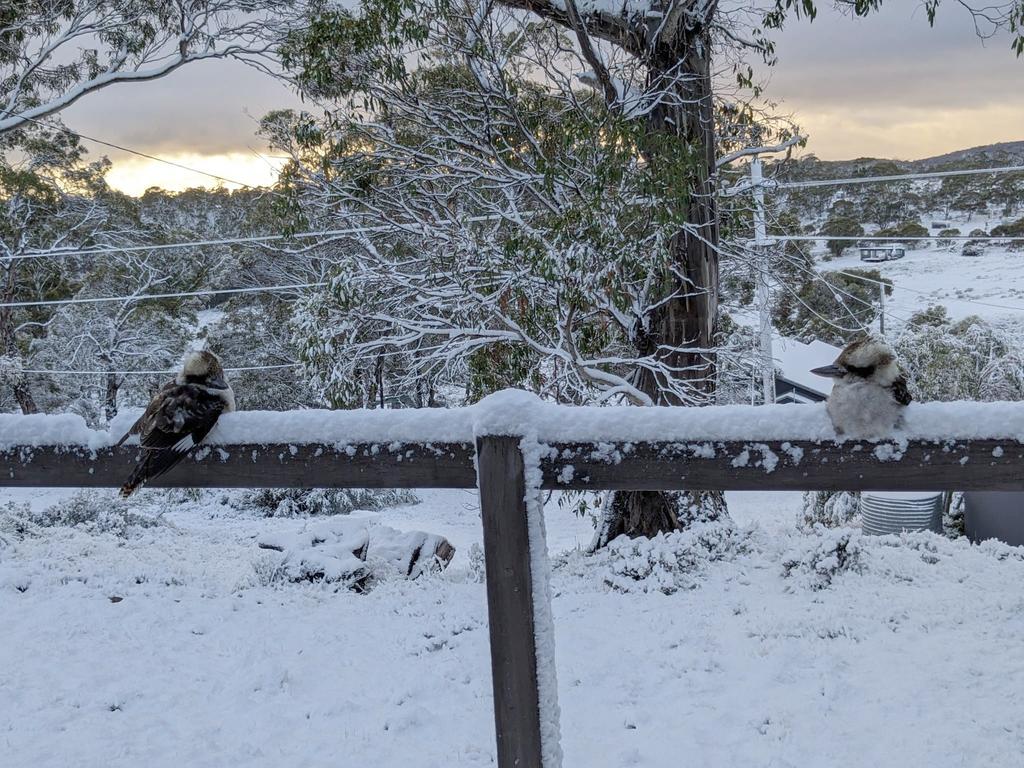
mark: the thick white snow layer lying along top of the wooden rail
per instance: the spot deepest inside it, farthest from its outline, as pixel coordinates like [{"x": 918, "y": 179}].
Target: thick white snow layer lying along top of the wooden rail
[{"x": 519, "y": 413}]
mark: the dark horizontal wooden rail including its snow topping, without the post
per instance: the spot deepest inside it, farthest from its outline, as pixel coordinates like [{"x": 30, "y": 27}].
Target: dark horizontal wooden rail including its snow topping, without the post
[{"x": 962, "y": 446}]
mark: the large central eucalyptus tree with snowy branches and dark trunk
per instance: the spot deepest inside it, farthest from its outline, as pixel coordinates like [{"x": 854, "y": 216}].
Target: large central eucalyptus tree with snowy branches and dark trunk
[{"x": 534, "y": 181}]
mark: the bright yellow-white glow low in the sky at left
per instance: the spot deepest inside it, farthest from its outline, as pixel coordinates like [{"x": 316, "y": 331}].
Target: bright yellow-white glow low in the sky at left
[{"x": 135, "y": 176}]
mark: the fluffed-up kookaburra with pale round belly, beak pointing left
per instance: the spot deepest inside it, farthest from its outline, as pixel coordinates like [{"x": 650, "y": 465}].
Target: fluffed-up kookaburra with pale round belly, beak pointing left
[{"x": 870, "y": 391}]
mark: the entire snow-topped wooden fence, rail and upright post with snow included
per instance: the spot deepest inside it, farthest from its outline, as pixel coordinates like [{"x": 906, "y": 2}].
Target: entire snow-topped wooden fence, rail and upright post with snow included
[{"x": 510, "y": 447}]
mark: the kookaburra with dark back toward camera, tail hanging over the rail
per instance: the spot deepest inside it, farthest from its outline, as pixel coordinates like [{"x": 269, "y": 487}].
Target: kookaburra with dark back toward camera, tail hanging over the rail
[{"x": 180, "y": 417}]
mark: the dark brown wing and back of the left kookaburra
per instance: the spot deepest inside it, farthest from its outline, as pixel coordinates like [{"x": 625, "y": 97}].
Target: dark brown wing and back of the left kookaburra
[{"x": 185, "y": 415}]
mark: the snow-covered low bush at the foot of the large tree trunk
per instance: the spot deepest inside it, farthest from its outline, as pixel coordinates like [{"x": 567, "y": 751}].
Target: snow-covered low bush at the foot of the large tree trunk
[{"x": 669, "y": 563}]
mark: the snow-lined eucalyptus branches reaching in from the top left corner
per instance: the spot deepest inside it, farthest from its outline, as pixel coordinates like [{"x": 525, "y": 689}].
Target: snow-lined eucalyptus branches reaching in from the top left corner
[{"x": 54, "y": 54}]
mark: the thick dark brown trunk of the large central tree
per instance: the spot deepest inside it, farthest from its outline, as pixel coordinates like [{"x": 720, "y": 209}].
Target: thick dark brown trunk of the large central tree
[{"x": 681, "y": 331}]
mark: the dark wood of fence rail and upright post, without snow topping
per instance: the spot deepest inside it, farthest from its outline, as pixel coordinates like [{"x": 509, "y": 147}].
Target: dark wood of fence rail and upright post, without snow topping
[{"x": 496, "y": 466}]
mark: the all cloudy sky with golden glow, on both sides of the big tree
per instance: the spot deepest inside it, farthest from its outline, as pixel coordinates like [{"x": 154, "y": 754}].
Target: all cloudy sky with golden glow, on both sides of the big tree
[{"x": 886, "y": 87}]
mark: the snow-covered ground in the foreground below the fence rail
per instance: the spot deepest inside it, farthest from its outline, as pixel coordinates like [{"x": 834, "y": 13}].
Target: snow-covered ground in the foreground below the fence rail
[{"x": 910, "y": 657}]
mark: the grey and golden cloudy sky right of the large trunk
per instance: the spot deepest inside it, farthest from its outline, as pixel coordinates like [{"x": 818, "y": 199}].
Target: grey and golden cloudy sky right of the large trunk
[{"x": 889, "y": 86}]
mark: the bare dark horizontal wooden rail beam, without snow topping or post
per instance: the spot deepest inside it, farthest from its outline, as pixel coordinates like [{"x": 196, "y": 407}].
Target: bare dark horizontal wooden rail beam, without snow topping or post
[{"x": 734, "y": 465}]
